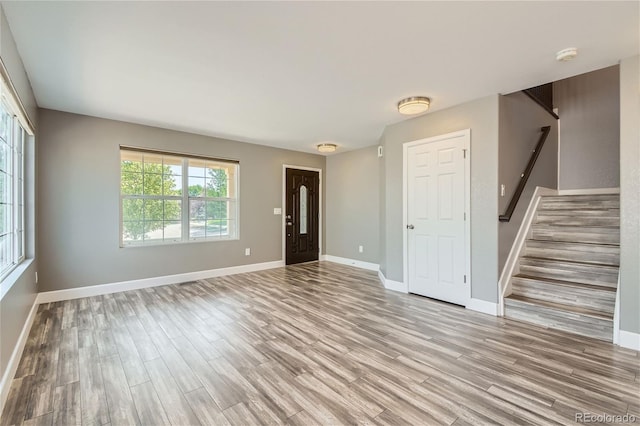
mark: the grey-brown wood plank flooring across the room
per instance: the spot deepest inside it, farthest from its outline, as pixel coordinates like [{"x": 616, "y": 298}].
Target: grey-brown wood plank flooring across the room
[{"x": 318, "y": 343}]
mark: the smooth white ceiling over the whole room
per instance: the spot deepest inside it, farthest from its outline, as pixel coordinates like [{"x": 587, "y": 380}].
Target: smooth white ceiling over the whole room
[{"x": 294, "y": 74}]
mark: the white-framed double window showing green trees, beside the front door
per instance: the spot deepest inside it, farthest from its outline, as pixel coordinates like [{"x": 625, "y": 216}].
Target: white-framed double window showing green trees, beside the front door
[{"x": 168, "y": 198}]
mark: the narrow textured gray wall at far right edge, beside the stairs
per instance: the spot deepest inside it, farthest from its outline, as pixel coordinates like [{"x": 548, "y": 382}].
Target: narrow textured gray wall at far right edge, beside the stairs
[{"x": 629, "y": 195}]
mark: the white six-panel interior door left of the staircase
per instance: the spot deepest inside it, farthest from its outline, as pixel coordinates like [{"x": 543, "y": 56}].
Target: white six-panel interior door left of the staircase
[{"x": 436, "y": 200}]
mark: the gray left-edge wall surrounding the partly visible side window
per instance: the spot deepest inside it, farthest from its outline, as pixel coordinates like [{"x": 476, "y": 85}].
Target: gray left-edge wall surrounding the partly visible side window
[{"x": 16, "y": 303}]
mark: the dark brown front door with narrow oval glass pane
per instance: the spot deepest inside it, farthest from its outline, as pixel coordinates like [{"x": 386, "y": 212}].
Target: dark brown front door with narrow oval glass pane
[{"x": 302, "y": 215}]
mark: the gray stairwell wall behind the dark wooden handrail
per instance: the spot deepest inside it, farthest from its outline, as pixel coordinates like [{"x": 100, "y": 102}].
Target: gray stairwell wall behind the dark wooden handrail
[{"x": 520, "y": 123}]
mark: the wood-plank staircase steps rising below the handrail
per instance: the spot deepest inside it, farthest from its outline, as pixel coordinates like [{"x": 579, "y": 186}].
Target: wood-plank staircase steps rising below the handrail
[{"x": 568, "y": 270}]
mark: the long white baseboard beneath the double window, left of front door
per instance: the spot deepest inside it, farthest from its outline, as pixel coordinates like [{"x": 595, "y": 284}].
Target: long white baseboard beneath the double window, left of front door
[{"x": 96, "y": 290}]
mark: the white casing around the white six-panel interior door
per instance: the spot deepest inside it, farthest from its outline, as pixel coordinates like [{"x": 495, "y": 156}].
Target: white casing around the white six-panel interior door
[{"x": 466, "y": 134}]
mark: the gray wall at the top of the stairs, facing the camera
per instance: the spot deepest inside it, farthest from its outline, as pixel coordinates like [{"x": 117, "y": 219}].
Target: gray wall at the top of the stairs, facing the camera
[{"x": 589, "y": 110}]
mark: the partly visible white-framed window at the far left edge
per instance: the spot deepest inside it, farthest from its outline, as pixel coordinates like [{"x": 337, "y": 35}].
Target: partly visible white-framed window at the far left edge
[{"x": 12, "y": 140}]
